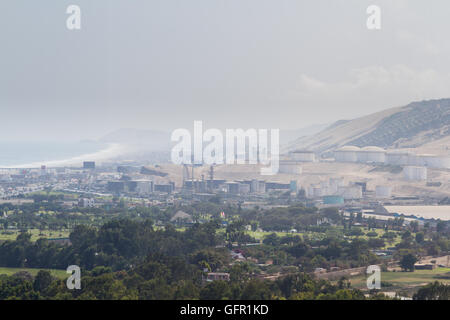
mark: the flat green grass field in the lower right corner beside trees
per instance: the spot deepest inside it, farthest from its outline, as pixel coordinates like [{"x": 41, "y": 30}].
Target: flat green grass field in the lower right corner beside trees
[{"x": 401, "y": 280}]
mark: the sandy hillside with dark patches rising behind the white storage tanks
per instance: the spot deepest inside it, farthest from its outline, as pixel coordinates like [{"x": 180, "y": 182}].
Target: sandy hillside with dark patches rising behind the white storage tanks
[{"x": 411, "y": 126}]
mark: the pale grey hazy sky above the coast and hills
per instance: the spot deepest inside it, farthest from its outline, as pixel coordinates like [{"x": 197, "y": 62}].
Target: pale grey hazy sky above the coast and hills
[{"x": 160, "y": 64}]
